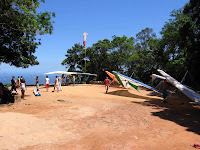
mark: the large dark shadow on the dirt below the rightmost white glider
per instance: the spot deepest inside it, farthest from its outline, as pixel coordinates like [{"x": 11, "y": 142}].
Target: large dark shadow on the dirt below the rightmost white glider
[{"x": 178, "y": 109}]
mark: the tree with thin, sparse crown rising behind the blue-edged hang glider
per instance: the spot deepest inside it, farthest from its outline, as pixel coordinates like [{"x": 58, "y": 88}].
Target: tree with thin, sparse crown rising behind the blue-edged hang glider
[{"x": 142, "y": 61}]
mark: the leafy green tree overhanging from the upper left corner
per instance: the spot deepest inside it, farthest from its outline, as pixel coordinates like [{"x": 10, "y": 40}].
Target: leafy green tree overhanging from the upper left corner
[{"x": 19, "y": 25}]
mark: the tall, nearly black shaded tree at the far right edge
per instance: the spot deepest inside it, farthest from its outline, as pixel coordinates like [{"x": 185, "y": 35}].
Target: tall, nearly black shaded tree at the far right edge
[{"x": 190, "y": 33}]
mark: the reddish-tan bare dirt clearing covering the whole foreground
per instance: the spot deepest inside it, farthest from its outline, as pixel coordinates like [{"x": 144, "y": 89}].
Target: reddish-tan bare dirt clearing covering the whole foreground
[{"x": 83, "y": 117}]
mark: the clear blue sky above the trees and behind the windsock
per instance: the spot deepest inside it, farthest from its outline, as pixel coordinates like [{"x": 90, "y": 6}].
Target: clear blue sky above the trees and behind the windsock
[{"x": 100, "y": 19}]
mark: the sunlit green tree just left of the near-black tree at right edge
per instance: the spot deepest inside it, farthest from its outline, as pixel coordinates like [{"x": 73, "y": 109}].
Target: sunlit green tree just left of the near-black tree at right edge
[{"x": 171, "y": 38}]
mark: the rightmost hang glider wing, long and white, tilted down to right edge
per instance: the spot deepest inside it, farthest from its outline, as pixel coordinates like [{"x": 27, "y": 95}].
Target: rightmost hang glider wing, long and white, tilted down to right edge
[{"x": 188, "y": 92}]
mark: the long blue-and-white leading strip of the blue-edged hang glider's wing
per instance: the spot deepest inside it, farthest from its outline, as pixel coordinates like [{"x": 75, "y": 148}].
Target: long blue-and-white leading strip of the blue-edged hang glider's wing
[{"x": 135, "y": 82}]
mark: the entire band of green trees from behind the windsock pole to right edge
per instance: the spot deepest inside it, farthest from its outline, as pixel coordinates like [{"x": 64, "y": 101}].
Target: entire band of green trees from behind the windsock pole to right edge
[{"x": 175, "y": 52}]
